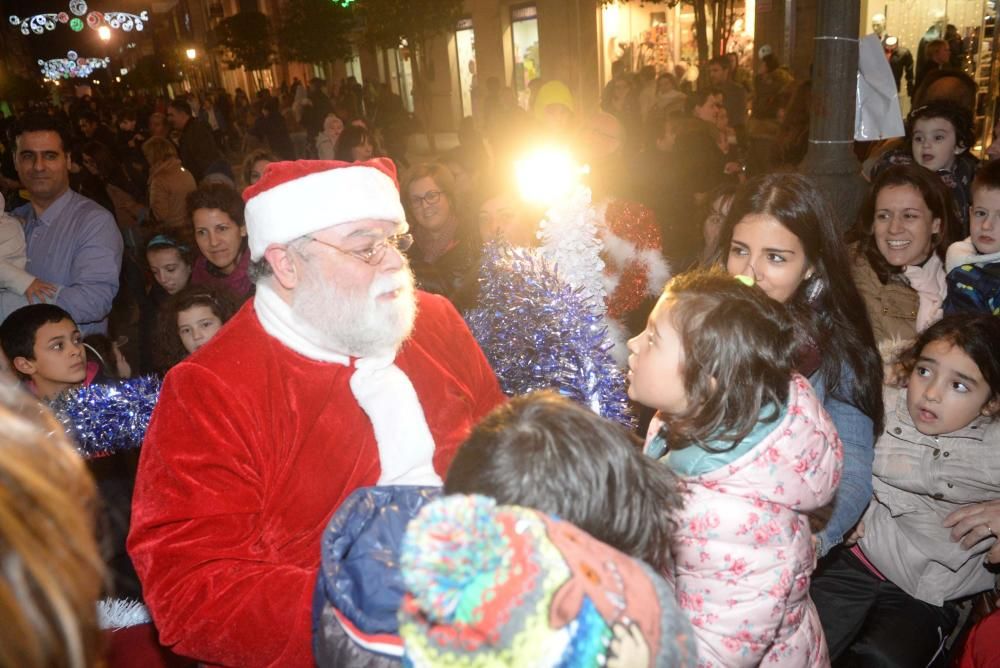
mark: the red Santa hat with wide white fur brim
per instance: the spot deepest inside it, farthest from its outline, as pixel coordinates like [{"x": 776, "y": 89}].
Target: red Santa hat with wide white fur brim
[{"x": 293, "y": 199}]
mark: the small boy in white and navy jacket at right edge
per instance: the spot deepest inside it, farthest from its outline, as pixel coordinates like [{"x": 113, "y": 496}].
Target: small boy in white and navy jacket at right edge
[{"x": 973, "y": 264}]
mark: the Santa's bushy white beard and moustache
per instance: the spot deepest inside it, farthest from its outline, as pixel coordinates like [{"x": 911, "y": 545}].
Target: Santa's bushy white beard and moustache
[{"x": 353, "y": 322}]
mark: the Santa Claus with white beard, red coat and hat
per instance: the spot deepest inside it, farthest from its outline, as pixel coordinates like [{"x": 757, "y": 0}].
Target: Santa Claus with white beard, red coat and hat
[{"x": 337, "y": 375}]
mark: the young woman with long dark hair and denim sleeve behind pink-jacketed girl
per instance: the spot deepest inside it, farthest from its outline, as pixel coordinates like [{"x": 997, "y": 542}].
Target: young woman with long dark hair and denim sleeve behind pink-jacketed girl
[{"x": 780, "y": 232}]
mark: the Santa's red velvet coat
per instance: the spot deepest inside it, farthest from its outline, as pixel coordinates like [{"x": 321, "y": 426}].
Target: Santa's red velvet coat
[{"x": 250, "y": 450}]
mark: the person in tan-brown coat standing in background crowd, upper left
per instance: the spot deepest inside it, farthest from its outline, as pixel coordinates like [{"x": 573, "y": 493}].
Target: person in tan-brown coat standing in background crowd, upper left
[{"x": 169, "y": 186}]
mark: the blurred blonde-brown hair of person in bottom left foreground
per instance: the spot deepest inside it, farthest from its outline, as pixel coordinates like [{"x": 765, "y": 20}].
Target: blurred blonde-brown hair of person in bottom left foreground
[{"x": 53, "y": 574}]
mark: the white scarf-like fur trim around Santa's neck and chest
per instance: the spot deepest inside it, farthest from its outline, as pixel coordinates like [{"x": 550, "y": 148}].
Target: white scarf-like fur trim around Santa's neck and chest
[{"x": 384, "y": 392}]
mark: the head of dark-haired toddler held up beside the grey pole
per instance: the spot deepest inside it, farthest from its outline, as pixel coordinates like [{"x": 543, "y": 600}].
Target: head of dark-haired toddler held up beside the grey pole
[{"x": 938, "y": 132}]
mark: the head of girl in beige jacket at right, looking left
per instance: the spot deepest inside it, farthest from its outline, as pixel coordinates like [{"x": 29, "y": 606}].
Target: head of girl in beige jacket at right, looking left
[{"x": 953, "y": 373}]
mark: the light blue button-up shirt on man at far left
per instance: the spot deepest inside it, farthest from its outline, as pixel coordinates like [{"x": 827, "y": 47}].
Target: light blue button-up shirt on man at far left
[{"x": 76, "y": 245}]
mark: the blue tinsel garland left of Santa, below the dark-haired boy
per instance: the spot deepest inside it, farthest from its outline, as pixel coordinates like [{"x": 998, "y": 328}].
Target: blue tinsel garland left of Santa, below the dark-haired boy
[{"x": 105, "y": 419}]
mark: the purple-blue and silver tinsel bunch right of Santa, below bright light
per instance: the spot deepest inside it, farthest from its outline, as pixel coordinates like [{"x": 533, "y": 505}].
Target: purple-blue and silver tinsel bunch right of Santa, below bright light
[{"x": 538, "y": 332}]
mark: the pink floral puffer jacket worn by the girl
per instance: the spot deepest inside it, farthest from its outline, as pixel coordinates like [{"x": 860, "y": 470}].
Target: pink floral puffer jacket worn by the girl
[{"x": 743, "y": 550}]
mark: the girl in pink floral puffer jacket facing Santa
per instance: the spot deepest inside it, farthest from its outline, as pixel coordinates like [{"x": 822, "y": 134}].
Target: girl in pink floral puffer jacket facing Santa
[{"x": 755, "y": 451}]
